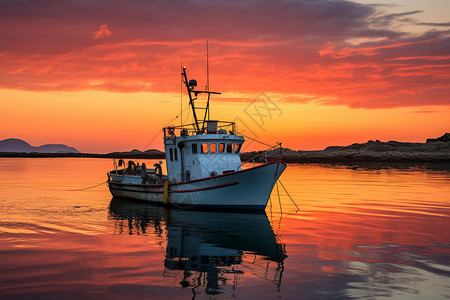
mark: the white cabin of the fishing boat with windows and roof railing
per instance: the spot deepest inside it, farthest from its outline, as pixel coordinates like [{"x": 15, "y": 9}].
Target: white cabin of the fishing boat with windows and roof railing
[{"x": 192, "y": 155}]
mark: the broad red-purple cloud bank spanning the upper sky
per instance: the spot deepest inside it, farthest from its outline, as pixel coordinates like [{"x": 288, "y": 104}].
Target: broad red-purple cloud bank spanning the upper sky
[{"x": 342, "y": 52}]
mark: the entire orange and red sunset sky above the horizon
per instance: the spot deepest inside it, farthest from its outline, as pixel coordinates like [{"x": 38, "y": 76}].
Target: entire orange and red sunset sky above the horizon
[{"x": 103, "y": 77}]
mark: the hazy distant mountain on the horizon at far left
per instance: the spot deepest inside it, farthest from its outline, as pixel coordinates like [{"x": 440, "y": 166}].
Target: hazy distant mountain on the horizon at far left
[{"x": 19, "y": 146}]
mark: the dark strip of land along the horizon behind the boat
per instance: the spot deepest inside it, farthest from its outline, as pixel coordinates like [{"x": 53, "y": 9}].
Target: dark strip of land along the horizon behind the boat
[{"x": 434, "y": 150}]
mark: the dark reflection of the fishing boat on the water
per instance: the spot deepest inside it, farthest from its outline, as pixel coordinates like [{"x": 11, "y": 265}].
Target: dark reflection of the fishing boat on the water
[{"x": 206, "y": 249}]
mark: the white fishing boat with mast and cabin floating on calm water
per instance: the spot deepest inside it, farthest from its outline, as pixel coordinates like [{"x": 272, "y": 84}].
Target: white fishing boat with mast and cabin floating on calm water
[{"x": 204, "y": 169}]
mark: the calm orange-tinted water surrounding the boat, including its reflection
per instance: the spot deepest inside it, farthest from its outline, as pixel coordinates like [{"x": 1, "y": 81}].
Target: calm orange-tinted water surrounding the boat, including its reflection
[{"x": 359, "y": 234}]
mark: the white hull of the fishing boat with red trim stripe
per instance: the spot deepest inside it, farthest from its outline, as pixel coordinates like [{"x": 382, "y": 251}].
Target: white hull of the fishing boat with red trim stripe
[{"x": 246, "y": 189}]
